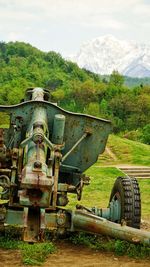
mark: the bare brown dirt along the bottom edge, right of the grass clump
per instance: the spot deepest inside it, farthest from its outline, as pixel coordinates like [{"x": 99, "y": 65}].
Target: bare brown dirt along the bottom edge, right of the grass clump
[{"x": 76, "y": 256}]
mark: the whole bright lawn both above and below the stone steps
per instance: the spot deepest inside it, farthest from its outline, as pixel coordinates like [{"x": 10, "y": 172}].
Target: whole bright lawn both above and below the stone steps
[{"x": 103, "y": 177}]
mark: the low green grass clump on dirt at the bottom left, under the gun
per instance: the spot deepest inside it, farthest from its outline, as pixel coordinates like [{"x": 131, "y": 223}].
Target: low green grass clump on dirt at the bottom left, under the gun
[{"x": 32, "y": 254}]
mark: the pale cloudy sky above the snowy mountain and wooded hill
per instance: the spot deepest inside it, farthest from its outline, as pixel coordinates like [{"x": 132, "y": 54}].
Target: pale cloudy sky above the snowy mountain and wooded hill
[{"x": 63, "y": 25}]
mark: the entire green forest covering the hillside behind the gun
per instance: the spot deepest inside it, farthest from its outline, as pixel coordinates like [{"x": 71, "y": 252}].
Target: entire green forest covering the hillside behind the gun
[{"x": 75, "y": 89}]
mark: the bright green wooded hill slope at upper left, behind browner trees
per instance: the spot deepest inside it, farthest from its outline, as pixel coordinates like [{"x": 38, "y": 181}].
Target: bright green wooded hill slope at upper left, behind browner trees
[{"x": 23, "y": 66}]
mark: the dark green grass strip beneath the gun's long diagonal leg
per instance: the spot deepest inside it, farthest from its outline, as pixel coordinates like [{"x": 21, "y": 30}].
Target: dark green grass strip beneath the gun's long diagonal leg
[{"x": 118, "y": 247}]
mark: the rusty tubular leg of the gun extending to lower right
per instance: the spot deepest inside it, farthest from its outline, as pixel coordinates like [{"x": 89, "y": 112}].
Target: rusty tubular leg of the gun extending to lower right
[{"x": 87, "y": 222}]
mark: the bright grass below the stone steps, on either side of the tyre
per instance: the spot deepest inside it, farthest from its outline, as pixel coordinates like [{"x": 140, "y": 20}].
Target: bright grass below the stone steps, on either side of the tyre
[{"x": 98, "y": 192}]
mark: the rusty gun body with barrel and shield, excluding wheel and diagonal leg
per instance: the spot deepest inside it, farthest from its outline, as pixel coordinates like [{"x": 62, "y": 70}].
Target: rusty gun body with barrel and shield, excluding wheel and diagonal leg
[{"x": 41, "y": 137}]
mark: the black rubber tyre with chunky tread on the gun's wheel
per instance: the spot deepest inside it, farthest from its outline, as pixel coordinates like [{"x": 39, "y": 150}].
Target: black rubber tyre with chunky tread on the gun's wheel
[{"x": 126, "y": 192}]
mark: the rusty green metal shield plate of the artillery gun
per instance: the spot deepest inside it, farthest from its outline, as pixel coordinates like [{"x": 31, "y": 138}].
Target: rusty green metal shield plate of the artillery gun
[{"x": 76, "y": 125}]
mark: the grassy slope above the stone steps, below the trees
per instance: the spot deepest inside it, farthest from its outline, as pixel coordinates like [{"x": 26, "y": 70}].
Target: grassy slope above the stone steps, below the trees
[{"x": 127, "y": 152}]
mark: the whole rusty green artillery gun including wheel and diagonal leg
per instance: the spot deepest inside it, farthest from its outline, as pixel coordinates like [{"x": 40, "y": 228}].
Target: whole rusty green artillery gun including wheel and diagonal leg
[{"x": 43, "y": 156}]
